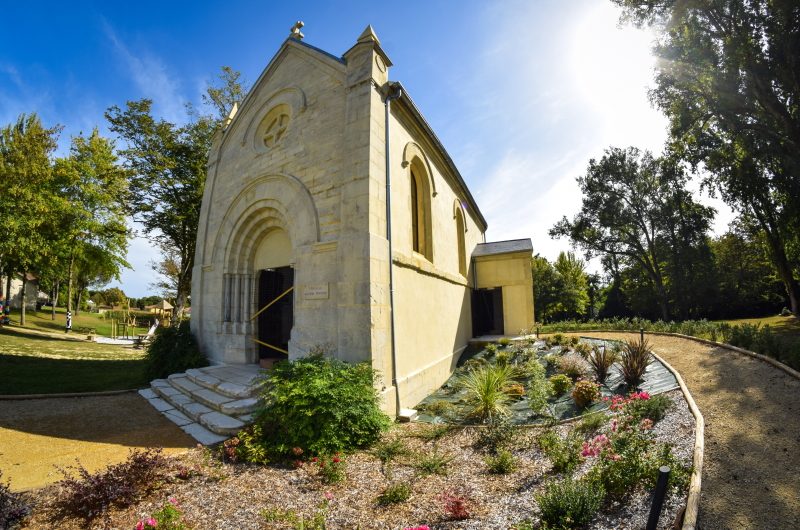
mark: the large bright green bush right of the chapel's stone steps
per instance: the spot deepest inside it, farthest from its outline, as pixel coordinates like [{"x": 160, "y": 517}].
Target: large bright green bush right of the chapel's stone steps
[{"x": 321, "y": 405}]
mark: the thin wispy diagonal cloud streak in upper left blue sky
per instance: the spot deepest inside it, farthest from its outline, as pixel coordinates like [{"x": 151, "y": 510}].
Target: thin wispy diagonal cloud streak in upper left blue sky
[{"x": 151, "y": 77}]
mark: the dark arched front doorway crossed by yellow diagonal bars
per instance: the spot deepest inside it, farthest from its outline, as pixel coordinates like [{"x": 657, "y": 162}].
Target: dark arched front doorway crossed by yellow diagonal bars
[{"x": 274, "y": 295}]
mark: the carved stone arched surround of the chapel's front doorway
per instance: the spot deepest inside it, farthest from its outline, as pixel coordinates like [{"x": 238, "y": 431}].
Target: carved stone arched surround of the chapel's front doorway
[{"x": 269, "y": 207}]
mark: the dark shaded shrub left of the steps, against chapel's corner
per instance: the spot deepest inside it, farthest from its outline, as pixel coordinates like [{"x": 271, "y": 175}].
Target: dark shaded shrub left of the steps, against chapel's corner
[{"x": 173, "y": 350}]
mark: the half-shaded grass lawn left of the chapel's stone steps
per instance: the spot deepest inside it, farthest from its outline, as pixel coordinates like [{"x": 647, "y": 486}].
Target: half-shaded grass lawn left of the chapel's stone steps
[{"x": 37, "y": 364}]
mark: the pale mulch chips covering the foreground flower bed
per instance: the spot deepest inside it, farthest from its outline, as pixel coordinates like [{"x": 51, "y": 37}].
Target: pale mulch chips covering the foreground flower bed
[{"x": 232, "y": 496}]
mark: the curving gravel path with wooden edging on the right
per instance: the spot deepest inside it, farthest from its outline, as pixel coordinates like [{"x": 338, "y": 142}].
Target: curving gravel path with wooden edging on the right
[{"x": 751, "y": 475}]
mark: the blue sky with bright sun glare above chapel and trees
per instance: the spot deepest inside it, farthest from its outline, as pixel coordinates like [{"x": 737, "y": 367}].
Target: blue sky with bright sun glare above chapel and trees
[{"x": 521, "y": 93}]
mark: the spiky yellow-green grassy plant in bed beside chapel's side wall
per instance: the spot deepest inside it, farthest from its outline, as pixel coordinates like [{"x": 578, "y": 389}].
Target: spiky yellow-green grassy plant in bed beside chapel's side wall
[{"x": 486, "y": 394}]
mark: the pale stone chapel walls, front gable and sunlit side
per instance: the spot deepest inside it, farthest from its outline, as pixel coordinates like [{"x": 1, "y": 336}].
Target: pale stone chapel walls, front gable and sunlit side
[{"x": 298, "y": 178}]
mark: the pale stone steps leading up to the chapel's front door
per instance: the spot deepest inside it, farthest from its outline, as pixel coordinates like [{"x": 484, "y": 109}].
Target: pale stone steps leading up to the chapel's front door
[{"x": 211, "y": 404}]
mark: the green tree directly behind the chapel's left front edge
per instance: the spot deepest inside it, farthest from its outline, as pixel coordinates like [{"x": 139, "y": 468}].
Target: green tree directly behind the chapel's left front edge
[{"x": 167, "y": 165}]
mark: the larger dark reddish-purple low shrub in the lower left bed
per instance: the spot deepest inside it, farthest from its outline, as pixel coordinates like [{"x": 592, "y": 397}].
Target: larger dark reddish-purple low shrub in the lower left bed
[{"x": 91, "y": 495}]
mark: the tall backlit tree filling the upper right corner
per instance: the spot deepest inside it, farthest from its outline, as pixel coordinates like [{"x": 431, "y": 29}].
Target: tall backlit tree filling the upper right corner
[{"x": 728, "y": 82}]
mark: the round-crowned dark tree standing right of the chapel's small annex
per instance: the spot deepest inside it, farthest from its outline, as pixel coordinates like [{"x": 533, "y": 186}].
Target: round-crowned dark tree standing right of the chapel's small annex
[{"x": 628, "y": 213}]
